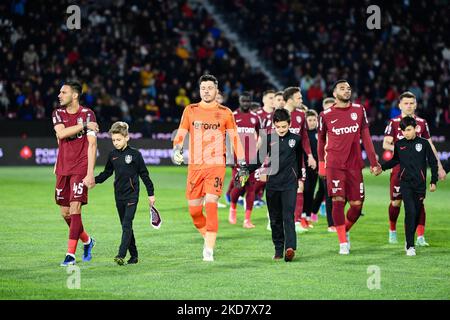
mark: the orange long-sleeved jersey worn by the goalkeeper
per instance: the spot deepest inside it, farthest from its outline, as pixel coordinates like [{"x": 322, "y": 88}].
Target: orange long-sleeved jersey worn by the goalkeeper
[{"x": 208, "y": 124}]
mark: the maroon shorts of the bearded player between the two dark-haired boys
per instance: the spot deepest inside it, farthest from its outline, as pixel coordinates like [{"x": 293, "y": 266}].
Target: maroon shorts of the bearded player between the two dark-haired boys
[{"x": 345, "y": 183}]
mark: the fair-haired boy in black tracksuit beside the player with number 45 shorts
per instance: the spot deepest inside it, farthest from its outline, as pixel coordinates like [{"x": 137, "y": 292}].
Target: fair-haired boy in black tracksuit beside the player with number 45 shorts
[{"x": 128, "y": 165}]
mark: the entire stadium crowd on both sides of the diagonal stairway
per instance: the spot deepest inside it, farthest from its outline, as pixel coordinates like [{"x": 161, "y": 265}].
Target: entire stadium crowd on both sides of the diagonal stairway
[{"x": 139, "y": 59}]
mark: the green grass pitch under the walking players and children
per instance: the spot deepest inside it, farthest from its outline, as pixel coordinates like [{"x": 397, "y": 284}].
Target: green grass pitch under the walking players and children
[{"x": 33, "y": 239}]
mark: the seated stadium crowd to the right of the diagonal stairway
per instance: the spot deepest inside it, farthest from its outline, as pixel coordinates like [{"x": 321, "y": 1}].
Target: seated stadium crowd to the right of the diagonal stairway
[{"x": 314, "y": 43}]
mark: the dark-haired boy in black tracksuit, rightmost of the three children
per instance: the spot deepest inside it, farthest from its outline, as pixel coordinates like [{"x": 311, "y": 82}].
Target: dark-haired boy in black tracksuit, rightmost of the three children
[{"x": 413, "y": 153}]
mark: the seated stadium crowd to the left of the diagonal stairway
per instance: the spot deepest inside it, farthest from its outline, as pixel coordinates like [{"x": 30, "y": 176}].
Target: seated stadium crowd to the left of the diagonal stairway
[{"x": 137, "y": 59}]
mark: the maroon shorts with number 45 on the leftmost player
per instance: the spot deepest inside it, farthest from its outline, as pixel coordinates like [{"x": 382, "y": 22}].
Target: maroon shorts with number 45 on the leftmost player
[{"x": 69, "y": 189}]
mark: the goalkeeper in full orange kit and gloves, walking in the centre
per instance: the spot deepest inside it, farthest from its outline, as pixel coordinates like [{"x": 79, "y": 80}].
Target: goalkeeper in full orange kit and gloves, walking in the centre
[{"x": 207, "y": 123}]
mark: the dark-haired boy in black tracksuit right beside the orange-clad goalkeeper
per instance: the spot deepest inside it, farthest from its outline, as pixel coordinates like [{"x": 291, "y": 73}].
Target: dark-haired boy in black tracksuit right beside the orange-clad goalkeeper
[{"x": 285, "y": 153}]
